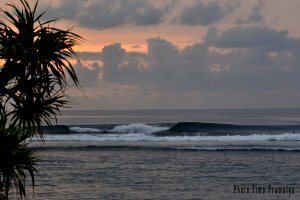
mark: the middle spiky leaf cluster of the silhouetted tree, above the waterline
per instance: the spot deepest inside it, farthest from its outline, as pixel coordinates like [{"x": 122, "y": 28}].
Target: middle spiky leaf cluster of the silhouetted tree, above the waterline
[{"x": 39, "y": 105}]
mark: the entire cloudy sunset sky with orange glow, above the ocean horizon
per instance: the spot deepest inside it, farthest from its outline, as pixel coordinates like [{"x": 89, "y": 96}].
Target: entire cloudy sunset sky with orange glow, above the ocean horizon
[{"x": 174, "y": 54}]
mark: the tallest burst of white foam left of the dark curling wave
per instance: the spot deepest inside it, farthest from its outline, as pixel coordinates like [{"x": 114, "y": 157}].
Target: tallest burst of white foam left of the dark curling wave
[{"x": 137, "y": 128}]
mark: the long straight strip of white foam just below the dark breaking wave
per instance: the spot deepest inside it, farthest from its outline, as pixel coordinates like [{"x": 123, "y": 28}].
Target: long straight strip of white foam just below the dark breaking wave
[{"x": 148, "y": 137}]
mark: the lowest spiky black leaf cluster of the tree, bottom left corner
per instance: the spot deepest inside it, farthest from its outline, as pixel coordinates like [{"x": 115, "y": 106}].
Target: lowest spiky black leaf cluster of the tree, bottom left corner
[{"x": 19, "y": 161}]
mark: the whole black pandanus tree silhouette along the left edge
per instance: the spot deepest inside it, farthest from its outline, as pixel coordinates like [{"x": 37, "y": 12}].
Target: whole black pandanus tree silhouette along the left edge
[{"x": 33, "y": 79}]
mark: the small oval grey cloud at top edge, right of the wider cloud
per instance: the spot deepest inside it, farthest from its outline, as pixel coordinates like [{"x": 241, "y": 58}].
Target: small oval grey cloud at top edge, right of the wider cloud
[{"x": 206, "y": 14}]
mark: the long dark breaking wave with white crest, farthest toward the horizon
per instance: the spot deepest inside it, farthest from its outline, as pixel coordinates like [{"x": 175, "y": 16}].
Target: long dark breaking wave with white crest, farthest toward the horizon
[{"x": 178, "y": 129}]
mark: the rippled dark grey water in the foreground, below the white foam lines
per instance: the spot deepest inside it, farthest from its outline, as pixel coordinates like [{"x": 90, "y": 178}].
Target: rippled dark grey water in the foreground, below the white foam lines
[{"x": 144, "y": 171}]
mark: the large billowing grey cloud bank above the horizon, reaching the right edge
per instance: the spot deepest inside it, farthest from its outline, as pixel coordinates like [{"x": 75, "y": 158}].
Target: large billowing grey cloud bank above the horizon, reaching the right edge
[{"x": 259, "y": 59}]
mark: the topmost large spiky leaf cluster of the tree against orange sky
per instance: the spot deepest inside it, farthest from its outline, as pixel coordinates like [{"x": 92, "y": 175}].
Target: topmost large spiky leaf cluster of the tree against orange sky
[{"x": 36, "y": 47}]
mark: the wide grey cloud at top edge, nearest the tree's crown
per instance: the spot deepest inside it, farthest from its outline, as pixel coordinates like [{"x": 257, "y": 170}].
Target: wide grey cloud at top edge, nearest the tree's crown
[{"x": 100, "y": 14}]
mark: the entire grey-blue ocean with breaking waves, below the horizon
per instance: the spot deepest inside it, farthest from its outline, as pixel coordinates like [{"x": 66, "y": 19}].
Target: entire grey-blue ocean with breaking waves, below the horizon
[{"x": 171, "y": 154}]
